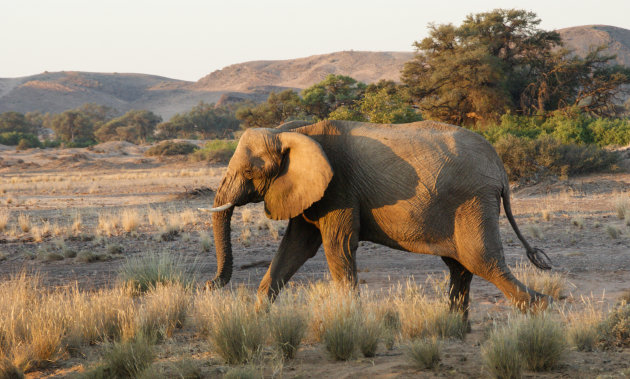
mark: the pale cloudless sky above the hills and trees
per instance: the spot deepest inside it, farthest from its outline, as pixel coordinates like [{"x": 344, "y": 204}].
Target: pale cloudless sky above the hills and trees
[{"x": 187, "y": 39}]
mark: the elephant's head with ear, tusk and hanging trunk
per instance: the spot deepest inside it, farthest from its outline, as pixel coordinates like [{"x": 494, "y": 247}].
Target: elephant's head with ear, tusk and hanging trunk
[{"x": 287, "y": 170}]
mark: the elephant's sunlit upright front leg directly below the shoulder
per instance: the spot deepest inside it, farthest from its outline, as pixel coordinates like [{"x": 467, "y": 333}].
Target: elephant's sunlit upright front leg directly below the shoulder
[{"x": 340, "y": 236}]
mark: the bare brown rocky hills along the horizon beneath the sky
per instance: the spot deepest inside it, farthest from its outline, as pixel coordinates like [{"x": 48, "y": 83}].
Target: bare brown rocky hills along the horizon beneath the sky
[{"x": 59, "y": 91}]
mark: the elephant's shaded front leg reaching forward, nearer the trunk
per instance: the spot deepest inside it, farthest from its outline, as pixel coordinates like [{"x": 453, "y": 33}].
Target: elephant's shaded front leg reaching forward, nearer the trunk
[{"x": 300, "y": 243}]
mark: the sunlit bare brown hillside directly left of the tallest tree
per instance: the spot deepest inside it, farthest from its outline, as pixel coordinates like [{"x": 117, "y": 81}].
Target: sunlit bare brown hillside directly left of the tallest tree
[{"x": 365, "y": 66}]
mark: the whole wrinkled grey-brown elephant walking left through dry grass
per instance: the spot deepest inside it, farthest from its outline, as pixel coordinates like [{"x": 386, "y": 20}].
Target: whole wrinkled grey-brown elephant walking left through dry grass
[{"x": 425, "y": 187}]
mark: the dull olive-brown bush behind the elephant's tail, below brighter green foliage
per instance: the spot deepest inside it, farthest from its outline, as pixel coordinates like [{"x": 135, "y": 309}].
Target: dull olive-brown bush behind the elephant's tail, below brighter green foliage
[{"x": 533, "y": 159}]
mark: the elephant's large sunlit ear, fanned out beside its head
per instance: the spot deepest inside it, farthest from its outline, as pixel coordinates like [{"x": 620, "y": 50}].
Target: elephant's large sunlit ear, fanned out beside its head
[{"x": 303, "y": 178}]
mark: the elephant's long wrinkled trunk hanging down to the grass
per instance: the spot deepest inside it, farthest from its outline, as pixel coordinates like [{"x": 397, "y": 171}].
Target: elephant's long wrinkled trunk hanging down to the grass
[{"x": 223, "y": 244}]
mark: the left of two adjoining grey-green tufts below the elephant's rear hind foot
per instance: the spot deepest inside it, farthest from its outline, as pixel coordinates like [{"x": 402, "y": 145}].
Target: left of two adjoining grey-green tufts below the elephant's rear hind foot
[{"x": 501, "y": 356}]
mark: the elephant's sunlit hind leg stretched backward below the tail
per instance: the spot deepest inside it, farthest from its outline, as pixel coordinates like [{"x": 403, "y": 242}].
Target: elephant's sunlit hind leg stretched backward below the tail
[{"x": 479, "y": 250}]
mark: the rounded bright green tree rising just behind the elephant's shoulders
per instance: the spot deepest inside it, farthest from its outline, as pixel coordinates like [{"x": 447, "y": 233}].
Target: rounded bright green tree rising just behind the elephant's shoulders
[{"x": 333, "y": 92}]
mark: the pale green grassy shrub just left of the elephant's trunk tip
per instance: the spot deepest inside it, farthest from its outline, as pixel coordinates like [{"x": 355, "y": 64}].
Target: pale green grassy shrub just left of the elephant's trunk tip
[{"x": 146, "y": 271}]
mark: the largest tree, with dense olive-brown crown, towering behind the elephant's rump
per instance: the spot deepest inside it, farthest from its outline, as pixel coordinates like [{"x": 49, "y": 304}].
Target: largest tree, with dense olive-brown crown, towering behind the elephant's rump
[{"x": 501, "y": 61}]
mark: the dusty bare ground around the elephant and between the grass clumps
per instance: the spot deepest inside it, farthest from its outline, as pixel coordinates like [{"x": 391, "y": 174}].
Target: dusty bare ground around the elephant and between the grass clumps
[{"x": 55, "y": 186}]
